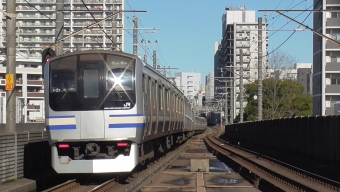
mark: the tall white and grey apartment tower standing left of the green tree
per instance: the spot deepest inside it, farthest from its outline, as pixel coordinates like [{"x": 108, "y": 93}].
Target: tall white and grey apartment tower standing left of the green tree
[{"x": 240, "y": 32}]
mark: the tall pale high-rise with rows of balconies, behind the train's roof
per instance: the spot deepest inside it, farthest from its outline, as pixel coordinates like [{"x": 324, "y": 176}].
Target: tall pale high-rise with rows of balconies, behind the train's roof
[{"x": 36, "y": 30}]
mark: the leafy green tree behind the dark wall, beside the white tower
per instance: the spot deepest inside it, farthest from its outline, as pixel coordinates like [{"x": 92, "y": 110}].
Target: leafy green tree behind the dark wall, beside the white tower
[{"x": 281, "y": 98}]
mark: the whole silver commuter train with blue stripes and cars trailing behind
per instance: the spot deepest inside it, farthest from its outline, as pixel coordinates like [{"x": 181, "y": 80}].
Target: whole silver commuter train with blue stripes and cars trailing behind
[{"x": 108, "y": 111}]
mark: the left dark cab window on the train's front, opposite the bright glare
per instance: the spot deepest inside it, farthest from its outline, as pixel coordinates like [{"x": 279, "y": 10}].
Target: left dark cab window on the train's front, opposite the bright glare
[{"x": 63, "y": 75}]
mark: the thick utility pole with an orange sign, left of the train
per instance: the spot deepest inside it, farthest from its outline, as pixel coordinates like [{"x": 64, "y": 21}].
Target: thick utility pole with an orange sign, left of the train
[{"x": 11, "y": 66}]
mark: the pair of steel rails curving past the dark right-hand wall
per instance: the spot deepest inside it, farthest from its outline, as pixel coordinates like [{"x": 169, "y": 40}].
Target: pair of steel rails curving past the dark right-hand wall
[{"x": 278, "y": 175}]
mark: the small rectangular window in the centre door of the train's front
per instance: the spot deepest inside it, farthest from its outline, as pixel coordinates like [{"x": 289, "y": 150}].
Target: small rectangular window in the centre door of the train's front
[{"x": 91, "y": 84}]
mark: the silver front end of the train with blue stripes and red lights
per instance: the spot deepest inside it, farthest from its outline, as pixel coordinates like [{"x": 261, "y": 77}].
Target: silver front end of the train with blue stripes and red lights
[{"x": 92, "y": 116}]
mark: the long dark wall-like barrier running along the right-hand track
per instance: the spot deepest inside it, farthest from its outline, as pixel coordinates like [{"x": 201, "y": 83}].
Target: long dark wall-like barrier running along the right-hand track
[{"x": 316, "y": 138}]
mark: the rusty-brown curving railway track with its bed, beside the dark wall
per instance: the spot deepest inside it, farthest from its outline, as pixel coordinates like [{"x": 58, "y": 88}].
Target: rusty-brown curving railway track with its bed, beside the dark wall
[{"x": 278, "y": 174}]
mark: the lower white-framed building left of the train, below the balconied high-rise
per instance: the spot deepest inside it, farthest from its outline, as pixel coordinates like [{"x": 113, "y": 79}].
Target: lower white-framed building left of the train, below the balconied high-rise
[{"x": 29, "y": 90}]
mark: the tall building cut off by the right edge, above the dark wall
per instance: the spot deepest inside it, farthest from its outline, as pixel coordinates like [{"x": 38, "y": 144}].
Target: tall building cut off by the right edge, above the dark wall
[{"x": 326, "y": 57}]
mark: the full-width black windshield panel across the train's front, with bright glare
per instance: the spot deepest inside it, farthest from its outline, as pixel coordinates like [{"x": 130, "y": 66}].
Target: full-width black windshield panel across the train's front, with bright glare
[{"x": 92, "y": 82}]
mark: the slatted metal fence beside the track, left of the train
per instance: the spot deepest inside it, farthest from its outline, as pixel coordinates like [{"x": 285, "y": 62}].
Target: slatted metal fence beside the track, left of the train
[{"x": 17, "y": 150}]
